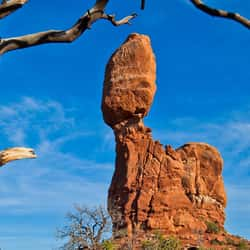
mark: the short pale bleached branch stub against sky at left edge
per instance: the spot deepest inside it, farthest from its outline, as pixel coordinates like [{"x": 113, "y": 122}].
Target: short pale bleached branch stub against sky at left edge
[{"x": 12, "y": 154}]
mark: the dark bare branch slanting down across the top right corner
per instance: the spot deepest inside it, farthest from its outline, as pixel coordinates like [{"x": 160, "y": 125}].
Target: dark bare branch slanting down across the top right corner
[{"x": 221, "y": 13}]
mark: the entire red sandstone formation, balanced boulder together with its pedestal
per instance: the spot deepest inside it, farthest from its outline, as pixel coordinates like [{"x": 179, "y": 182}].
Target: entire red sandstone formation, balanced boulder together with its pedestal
[{"x": 155, "y": 187}]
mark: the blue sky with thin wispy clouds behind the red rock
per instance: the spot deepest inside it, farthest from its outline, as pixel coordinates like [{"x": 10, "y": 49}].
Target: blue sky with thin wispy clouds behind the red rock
[{"x": 51, "y": 95}]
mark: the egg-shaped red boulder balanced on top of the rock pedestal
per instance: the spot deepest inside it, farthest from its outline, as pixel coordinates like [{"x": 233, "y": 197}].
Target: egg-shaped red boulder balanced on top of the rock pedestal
[{"x": 129, "y": 81}]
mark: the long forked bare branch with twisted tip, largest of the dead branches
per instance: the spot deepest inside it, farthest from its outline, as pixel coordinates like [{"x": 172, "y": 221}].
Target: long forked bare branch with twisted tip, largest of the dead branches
[{"x": 61, "y": 36}]
